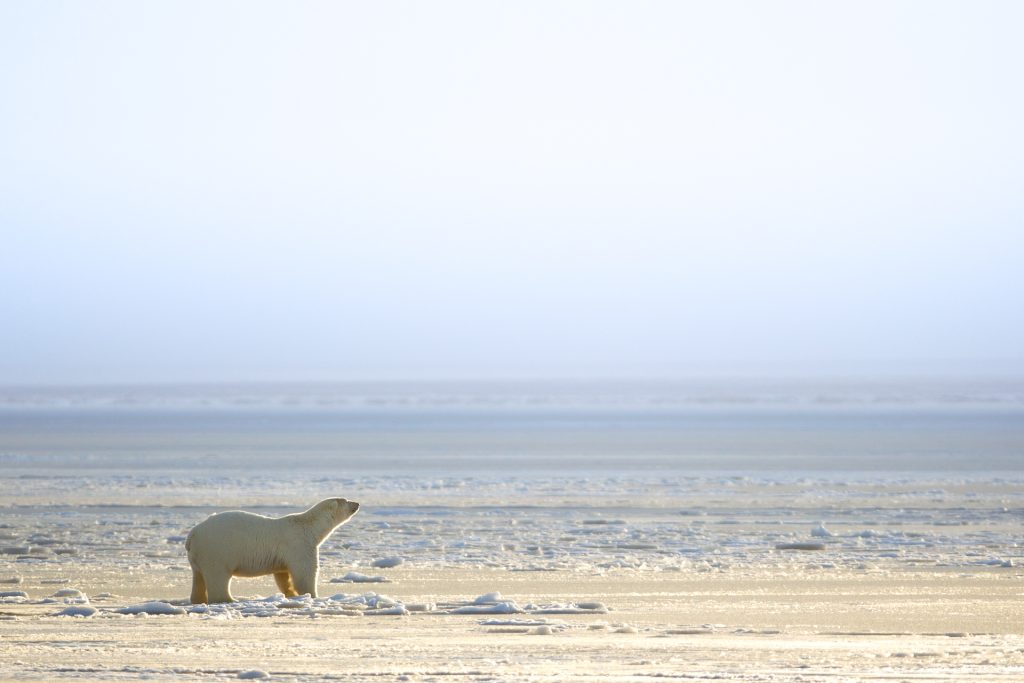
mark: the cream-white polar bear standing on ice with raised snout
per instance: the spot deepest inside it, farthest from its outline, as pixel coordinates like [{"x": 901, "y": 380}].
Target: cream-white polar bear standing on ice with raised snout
[{"x": 243, "y": 544}]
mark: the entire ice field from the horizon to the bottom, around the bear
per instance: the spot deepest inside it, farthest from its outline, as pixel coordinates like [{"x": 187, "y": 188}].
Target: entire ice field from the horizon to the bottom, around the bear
[{"x": 529, "y": 533}]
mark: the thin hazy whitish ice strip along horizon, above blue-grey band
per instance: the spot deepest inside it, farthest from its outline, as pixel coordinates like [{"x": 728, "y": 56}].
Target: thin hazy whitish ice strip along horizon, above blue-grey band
[{"x": 536, "y": 397}]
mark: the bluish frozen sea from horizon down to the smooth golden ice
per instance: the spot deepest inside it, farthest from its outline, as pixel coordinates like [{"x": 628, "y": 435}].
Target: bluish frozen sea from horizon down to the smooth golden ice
[{"x": 584, "y": 477}]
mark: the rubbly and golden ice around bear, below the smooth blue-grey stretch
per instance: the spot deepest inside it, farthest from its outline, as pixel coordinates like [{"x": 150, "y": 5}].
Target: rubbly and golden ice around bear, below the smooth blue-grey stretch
[{"x": 624, "y": 578}]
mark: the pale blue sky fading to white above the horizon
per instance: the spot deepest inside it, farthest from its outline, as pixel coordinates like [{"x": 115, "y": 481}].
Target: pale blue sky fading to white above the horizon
[{"x": 251, "y": 191}]
